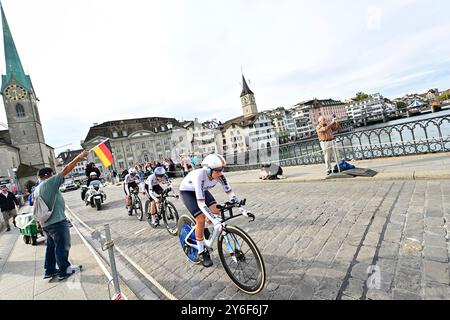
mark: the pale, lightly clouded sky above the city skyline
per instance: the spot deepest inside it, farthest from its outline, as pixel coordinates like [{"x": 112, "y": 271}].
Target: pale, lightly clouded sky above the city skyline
[{"x": 97, "y": 60}]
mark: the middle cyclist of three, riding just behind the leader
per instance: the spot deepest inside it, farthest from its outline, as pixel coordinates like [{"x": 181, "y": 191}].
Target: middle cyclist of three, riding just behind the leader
[{"x": 153, "y": 190}]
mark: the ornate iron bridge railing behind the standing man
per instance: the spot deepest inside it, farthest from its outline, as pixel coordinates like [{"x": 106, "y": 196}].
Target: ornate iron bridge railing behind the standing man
[{"x": 414, "y": 137}]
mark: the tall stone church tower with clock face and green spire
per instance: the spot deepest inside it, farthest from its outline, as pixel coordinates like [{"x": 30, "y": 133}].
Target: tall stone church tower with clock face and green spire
[{"x": 19, "y": 98}]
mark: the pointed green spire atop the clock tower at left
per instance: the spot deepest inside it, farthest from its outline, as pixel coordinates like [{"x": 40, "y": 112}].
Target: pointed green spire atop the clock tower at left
[{"x": 13, "y": 65}]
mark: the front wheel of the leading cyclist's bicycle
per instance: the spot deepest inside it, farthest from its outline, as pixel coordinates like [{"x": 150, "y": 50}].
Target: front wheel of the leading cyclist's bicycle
[{"x": 242, "y": 260}]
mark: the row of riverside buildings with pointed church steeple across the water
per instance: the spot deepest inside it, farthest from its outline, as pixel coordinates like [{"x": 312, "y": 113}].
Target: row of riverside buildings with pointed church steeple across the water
[{"x": 157, "y": 138}]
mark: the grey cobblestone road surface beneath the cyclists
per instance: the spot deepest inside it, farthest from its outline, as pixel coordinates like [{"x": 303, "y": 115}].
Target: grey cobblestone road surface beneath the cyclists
[{"x": 325, "y": 240}]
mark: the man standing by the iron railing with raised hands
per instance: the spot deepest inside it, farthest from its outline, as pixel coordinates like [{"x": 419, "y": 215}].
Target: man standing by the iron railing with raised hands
[{"x": 325, "y": 134}]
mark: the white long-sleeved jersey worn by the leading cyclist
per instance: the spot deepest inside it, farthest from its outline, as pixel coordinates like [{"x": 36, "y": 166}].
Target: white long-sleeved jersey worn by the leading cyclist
[{"x": 198, "y": 181}]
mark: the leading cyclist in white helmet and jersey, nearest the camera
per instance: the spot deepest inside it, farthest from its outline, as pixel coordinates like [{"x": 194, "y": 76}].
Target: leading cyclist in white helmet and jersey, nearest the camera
[{"x": 200, "y": 202}]
